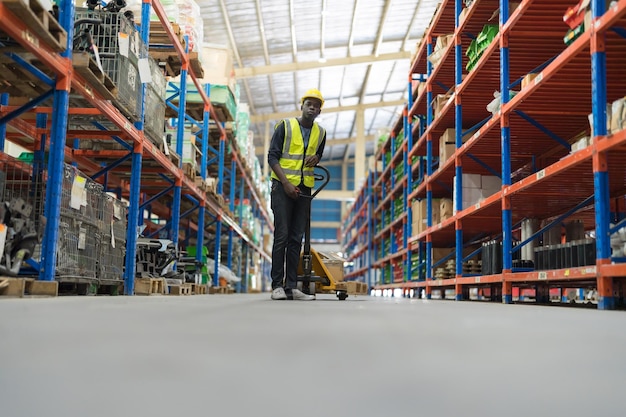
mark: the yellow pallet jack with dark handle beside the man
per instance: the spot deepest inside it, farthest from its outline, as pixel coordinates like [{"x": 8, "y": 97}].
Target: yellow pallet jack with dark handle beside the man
[{"x": 323, "y": 281}]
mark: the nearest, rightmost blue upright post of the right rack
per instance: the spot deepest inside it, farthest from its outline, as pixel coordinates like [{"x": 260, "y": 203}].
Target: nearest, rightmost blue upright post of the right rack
[{"x": 606, "y": 298}]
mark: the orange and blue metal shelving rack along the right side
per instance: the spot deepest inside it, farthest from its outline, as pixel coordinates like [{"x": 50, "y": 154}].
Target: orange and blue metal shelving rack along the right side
[{"x": 525, "y": 143}]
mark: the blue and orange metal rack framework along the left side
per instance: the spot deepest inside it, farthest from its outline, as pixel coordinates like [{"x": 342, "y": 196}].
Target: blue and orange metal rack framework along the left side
[{"x": 56, "y": 55}]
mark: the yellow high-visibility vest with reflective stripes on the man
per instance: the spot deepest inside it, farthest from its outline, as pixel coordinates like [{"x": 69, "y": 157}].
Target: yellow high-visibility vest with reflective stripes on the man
[{"x": 292, "y": 158}]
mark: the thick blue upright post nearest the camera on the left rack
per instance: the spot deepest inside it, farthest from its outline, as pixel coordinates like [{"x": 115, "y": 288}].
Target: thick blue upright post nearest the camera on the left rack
[{"x": 54, "y": 184}]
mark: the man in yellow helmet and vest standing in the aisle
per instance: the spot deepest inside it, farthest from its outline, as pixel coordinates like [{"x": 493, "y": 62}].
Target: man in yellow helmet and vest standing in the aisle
[{"x": 297, "y": 146}]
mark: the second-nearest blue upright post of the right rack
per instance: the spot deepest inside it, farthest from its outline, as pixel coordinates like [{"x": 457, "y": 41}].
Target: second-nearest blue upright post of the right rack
[{"x": 507, "y": 216}]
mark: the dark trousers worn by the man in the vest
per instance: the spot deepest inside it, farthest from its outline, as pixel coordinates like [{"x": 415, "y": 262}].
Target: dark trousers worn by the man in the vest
[{"x": 290, "y": 217}]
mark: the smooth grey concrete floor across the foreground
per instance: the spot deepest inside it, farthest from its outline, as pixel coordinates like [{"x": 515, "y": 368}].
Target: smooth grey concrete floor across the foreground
[{"x": 244, "y": 355}]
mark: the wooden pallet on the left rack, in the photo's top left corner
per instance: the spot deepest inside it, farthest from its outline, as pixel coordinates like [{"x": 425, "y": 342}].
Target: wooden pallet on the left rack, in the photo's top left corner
[{"x": 40, "y": 22}]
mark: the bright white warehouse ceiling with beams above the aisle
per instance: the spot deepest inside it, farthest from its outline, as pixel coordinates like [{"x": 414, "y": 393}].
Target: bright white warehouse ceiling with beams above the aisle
[{"x": 357, "y": 52}]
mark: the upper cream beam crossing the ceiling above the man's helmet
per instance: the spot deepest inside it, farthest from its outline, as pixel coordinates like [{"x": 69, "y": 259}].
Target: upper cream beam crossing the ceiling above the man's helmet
[{"x": 247, "y": 72}]
